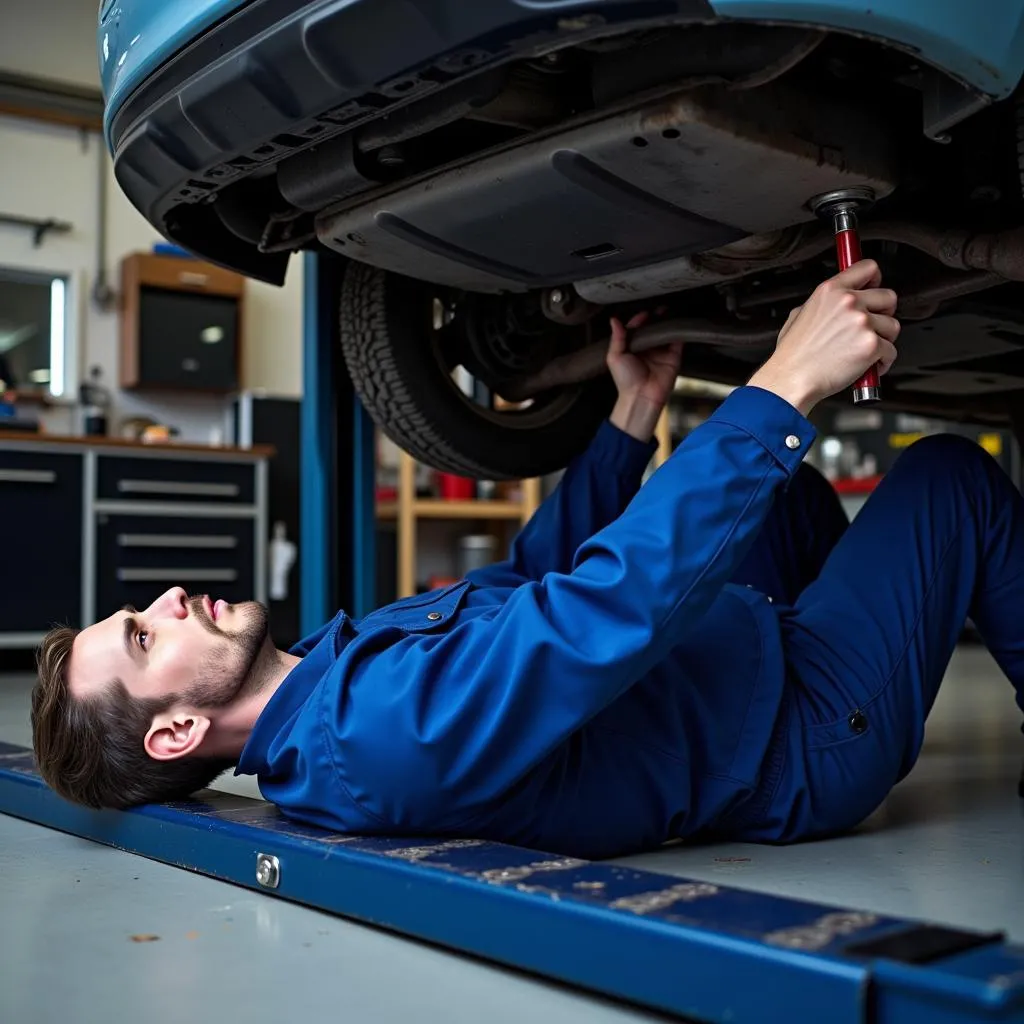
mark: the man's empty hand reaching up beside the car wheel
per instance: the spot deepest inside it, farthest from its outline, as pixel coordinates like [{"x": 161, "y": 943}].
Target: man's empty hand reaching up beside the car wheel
[{"x": 645, "y": 379}]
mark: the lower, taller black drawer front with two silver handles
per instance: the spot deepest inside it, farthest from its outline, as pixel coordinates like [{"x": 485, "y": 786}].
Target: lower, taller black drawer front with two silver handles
[{"x": 141, "y": 558}]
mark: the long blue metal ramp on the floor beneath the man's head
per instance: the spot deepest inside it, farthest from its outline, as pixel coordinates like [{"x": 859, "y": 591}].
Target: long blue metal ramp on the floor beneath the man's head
[{"x": 701, "y": 951}]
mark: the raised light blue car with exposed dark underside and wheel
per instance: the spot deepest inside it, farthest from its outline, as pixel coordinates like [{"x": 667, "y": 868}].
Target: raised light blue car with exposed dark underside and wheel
[{"x": 612, "y": 151}]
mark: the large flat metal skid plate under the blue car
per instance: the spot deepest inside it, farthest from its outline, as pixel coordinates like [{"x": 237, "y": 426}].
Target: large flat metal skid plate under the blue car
[{"x": 678, "y": 176}]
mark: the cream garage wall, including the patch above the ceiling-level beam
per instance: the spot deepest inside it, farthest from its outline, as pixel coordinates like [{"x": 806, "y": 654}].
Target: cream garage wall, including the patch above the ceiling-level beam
[{"x": 46, "y": 172}]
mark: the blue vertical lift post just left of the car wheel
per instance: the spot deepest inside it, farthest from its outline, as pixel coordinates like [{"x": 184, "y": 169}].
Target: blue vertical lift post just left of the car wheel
[{"x": 337, "y": 550}]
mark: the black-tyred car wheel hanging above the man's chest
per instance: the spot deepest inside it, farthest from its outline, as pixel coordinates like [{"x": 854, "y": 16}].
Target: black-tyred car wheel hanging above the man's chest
[{"x": 403, "y": 343}]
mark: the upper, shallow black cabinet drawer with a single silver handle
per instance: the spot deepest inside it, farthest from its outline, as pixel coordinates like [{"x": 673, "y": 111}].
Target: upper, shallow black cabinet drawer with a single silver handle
[{"x": 124, "y": 479}]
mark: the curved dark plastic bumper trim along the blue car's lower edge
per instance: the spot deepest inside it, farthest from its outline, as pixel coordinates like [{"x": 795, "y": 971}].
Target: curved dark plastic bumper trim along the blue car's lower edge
[{"x": 293, "y": 78}]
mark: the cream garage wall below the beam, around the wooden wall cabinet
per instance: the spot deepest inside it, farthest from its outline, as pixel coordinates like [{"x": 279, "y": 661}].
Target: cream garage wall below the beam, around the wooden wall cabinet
[{"x": 51, "y": 172}]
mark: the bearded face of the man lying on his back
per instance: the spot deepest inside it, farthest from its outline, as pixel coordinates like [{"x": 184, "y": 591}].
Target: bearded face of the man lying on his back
[{"x": 204, "y": 651}]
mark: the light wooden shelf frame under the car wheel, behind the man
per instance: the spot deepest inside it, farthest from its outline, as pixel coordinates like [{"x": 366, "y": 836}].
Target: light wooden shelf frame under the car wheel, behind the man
[{"x": 409, "y": 509}]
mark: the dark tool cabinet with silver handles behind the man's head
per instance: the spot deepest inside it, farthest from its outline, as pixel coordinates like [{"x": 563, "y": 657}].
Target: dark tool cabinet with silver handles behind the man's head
[{"x": 90, "y": 528}]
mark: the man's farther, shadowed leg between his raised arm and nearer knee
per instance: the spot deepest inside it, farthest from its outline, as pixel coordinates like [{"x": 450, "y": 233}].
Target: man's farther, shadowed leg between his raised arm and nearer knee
[{"x": 805, "y": 524}]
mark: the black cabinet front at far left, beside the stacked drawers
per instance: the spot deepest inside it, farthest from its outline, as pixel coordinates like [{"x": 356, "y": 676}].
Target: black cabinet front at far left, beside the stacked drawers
[{"x": 41, "y": 518}]
